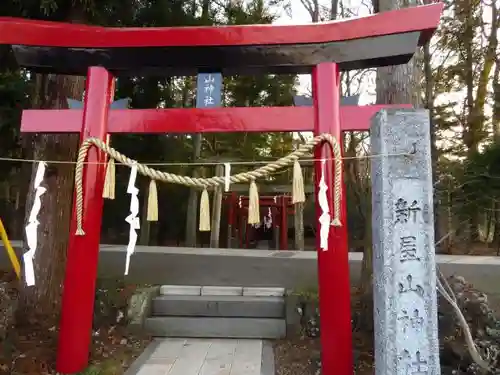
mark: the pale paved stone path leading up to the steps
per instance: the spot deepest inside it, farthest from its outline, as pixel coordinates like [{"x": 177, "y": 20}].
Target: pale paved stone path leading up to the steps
[{"x": 179, "y": 356}]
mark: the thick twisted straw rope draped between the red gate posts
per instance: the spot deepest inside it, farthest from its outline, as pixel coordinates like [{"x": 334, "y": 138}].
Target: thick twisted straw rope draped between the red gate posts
[{"x": 250, "y": 176}]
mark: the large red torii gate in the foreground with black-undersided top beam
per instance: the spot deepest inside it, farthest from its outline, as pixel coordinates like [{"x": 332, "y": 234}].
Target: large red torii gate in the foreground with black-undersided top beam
[{"x": 323, "y": 49}]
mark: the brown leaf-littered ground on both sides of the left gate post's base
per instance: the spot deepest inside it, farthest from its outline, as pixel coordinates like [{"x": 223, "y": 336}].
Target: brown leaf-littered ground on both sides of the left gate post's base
[{"x": 31, "y": 347}]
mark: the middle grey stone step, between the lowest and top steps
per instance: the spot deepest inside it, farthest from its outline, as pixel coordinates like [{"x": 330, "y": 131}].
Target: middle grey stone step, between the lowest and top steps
[{"x": 219, "y": 306}]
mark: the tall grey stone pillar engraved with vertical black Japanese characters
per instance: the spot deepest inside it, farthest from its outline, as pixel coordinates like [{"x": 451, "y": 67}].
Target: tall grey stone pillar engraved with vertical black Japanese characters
[{"x": 405, "y": 301}]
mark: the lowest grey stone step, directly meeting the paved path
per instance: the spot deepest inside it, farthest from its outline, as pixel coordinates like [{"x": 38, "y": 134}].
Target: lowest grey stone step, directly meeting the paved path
[{"x": 203, "y": 327}]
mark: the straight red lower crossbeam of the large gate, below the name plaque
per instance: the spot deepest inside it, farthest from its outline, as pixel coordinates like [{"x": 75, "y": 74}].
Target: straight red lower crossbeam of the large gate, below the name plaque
[{"x": 195, "y": 120}]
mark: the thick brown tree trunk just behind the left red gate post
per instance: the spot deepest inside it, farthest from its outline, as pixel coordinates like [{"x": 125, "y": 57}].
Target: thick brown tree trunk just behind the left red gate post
[{"x": 55, "y": 214}]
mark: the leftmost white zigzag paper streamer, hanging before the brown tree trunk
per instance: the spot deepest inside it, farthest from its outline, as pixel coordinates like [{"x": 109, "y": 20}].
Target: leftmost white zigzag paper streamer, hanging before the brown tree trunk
[{"x": 32, "y": 228}]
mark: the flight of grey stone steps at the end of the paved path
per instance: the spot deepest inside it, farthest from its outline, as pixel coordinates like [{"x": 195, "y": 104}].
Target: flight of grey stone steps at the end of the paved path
[{"x": 218, "y": 312}]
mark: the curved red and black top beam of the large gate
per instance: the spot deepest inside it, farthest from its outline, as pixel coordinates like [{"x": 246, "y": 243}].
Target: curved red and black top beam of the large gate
[{"x": 388, "y": 38}]
